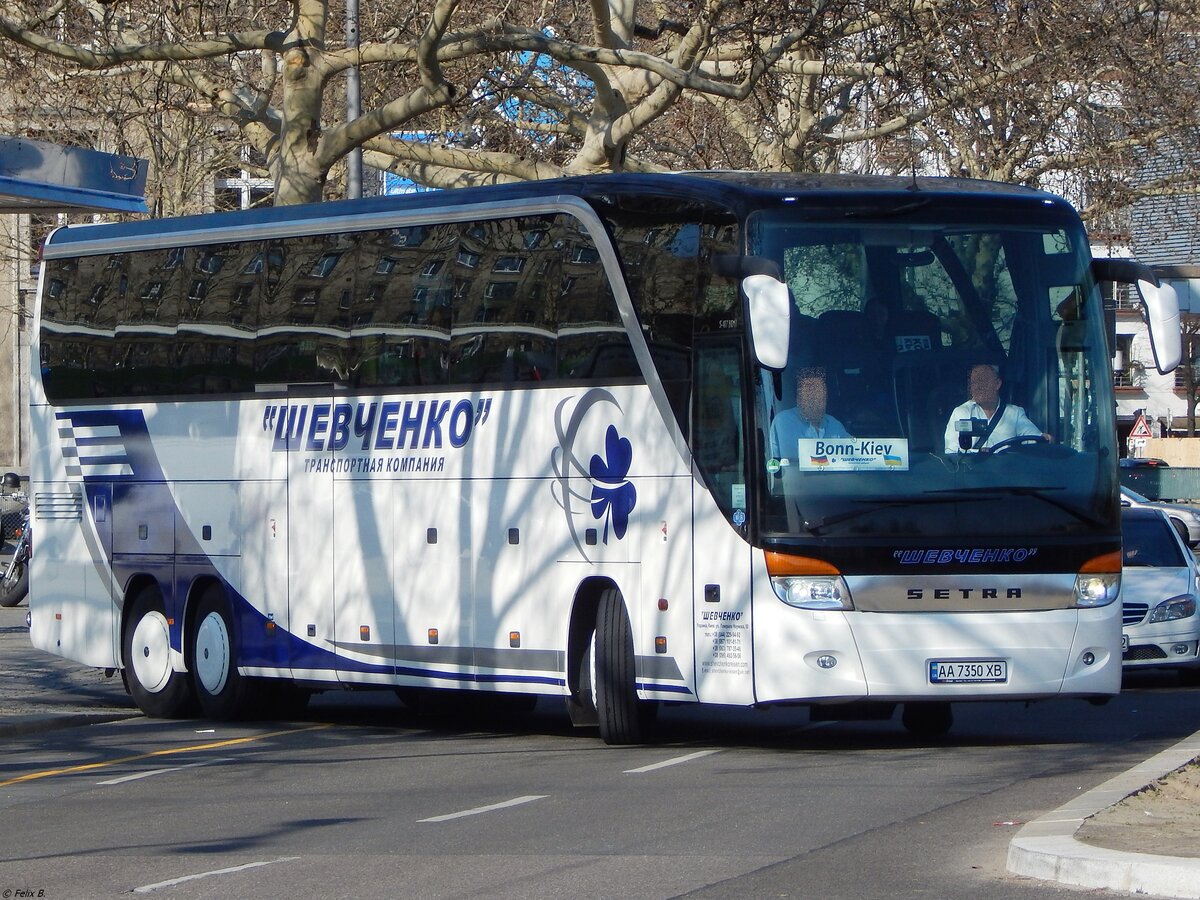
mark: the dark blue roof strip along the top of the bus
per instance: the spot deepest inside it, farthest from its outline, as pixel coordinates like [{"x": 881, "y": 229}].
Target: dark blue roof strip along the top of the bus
[{"x": 739, "y": 190}]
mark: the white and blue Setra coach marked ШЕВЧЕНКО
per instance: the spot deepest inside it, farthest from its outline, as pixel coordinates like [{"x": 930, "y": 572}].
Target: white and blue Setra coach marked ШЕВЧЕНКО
[{"x": 523, "y": 440}]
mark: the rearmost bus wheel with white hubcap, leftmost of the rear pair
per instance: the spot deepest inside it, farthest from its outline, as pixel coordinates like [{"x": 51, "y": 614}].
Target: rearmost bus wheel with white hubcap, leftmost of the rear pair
[{"x": 159, "y": 691}]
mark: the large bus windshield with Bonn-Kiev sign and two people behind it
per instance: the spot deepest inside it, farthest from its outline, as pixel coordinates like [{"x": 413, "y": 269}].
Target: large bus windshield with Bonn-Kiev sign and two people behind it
[{"x": 947, "y": 377}]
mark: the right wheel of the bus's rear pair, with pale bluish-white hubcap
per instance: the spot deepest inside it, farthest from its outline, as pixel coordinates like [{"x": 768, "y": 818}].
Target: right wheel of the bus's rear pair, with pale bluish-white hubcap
[{"x": 223, "y": 692}]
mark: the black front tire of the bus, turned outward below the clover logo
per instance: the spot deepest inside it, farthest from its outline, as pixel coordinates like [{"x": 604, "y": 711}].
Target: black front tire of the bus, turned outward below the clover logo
[{"x": 623, "y": 721}]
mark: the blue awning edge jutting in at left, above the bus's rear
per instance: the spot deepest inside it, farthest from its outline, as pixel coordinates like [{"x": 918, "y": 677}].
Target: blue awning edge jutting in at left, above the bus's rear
[{"x": 37, "y": 177}]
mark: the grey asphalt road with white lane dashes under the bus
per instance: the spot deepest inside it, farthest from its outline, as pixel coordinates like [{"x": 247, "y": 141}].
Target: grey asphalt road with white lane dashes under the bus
[{"x": 364, "y": 799}]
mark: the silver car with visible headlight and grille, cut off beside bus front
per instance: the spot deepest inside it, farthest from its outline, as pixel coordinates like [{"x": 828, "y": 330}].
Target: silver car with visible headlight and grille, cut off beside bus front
[{"x": 1160, "y": 586}]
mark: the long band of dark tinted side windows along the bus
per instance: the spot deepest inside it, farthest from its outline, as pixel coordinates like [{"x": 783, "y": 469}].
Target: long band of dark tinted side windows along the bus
[{"x": 515, "y": 301}]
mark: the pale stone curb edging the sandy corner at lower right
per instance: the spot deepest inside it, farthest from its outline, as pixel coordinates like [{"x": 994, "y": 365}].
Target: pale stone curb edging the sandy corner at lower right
[{"x": 1047, "y": 848}]
